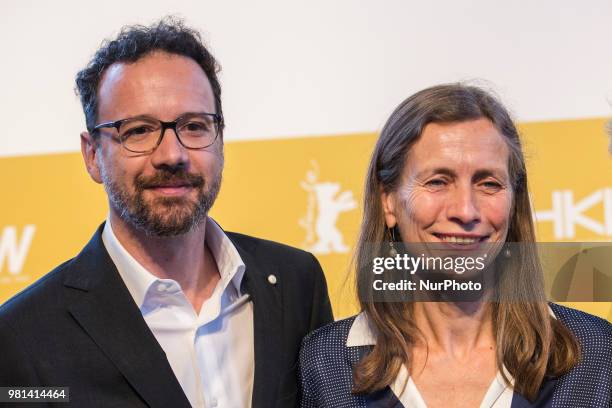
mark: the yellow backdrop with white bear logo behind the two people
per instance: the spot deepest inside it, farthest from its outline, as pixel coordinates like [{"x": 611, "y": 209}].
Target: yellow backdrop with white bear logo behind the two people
[{"x": 306, "y": 192}]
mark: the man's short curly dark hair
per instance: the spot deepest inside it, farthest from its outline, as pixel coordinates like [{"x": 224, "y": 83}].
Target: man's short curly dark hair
[{"x": 137, "y": 41}]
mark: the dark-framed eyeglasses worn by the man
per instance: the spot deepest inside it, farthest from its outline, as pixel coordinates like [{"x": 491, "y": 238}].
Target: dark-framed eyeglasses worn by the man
[{"x": 142, "y": 134}]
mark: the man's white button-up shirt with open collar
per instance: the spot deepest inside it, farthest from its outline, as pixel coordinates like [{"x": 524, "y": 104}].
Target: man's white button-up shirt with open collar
[{"x": 210, "y": 352}]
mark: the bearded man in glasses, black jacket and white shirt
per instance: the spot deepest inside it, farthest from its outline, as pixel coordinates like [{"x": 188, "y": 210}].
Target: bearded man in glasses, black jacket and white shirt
[{"x": 162, "y": 308}]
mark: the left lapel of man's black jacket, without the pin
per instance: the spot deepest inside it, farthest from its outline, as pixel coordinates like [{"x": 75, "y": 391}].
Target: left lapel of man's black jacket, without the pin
[{"x": 104, "y": 308}]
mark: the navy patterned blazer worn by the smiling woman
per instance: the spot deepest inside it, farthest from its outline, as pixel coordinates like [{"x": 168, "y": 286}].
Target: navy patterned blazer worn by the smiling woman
[{"x": 326, "y": 376}]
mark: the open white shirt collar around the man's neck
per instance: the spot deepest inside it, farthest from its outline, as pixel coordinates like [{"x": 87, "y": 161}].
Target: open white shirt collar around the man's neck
[{"x": 138, "y": 279}]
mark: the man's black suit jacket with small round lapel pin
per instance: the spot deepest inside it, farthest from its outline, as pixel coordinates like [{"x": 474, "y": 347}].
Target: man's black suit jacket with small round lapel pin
[{"x": 78, "y": 326}]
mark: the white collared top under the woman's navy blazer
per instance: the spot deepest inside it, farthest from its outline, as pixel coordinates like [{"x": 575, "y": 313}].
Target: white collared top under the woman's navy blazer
[{"x": 361, "y": 334}]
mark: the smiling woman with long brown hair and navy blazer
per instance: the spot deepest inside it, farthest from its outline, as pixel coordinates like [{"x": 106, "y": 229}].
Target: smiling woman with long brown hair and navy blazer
[{"x": 448, "y": 170}]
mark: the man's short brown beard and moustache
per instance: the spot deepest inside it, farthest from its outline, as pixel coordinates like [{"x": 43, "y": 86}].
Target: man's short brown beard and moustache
[{"x": 163, "y": 216}]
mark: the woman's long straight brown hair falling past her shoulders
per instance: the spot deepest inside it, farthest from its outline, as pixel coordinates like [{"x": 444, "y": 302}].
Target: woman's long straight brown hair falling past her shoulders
[{"x": 530, "y": 343}]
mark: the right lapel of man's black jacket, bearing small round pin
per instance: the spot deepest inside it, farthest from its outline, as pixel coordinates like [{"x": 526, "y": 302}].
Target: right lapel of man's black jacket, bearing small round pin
[{"x": 267, "y": 320}]
